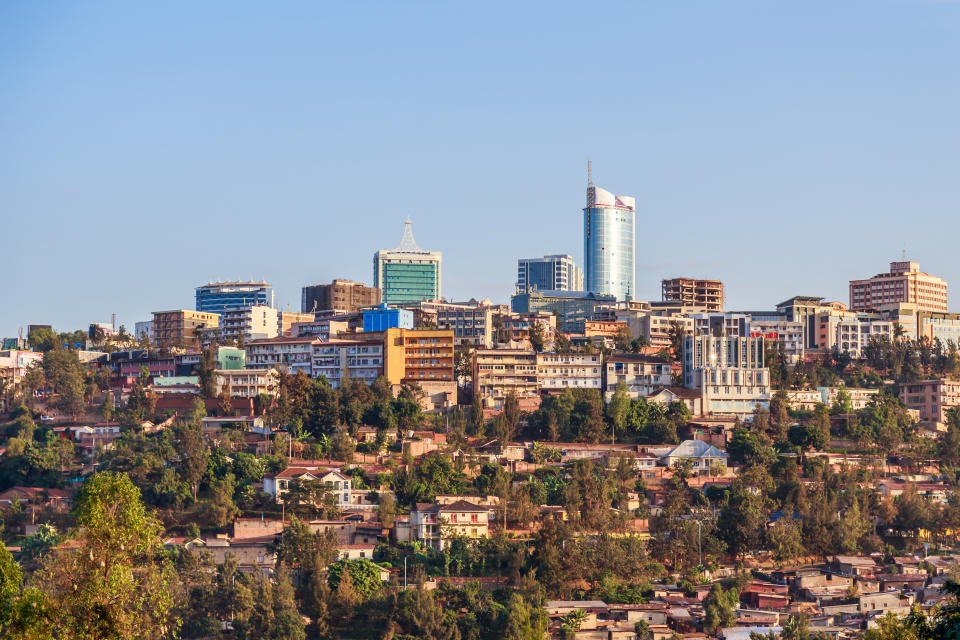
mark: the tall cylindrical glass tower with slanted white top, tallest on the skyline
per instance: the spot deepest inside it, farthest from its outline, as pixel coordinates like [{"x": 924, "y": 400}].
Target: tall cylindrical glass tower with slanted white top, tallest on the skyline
[{"x": 609, "y": 243}]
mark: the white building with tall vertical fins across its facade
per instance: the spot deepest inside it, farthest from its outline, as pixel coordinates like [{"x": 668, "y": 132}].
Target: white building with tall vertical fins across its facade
[{"x": 729, "y": 371}]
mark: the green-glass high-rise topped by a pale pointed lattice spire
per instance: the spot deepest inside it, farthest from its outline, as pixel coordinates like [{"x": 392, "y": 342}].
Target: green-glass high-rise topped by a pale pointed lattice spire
[{"x": 408, "y": 273}]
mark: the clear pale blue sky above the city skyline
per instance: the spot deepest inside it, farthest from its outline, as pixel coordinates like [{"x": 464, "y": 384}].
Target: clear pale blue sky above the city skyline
[{"x": 781, "y": 147}]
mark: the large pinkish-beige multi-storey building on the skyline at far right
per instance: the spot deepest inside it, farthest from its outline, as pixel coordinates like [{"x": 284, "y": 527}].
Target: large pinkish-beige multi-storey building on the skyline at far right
[{"x": 904, "y": 283}]
